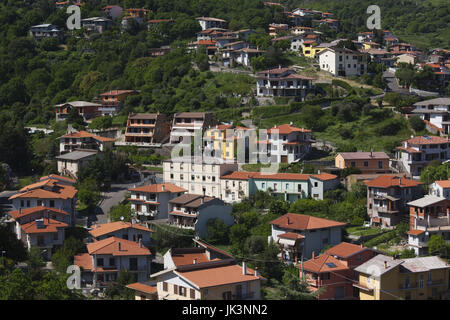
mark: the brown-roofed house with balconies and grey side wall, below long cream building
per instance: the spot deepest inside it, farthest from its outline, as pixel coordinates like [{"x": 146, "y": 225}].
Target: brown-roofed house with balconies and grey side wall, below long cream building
[{"x": 193, "y": 211}]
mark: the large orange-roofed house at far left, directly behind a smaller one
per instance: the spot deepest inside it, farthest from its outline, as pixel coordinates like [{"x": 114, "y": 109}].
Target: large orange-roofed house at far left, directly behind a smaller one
[{"x": 47, "y": 194}]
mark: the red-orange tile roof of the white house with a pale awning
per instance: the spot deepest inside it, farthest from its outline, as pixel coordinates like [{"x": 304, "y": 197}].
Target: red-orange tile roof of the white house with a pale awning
[{"x": 304, "y": 222}]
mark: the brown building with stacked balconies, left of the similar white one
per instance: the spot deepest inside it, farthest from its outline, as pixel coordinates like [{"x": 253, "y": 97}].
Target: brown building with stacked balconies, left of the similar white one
[{"x": 145, "y": 129}]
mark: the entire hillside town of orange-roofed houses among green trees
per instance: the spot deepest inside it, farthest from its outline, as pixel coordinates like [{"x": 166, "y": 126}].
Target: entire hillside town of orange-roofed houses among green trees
[{"x": 180, "y": 157}]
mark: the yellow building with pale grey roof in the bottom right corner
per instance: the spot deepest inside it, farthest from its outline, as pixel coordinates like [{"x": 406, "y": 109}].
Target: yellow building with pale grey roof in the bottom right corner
[{"x": 386, "y": 278}]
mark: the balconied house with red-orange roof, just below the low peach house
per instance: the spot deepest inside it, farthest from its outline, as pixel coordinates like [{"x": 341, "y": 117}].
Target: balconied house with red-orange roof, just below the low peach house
[{"x": 387, "y": 199}]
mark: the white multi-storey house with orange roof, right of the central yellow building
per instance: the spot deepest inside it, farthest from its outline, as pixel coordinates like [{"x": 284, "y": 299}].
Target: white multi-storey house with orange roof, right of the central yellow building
[{"x": 288, "y": 144}]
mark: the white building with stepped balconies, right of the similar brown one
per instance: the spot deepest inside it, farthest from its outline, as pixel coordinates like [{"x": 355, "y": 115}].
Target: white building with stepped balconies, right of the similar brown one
[{"x": 186, "y": 123}]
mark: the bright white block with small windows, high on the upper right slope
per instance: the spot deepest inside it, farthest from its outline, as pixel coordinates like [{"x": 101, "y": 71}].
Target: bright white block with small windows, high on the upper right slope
[{"x": 343, "y": 62}]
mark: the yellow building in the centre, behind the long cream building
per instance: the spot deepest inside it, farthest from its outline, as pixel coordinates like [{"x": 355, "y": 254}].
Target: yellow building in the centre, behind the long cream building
[{"x": 224, "y": 138}]
